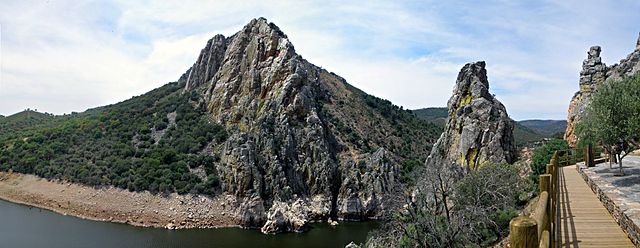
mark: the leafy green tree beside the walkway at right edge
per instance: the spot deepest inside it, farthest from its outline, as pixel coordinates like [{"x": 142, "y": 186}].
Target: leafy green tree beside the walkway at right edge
[{"x": 613, "y": 118}]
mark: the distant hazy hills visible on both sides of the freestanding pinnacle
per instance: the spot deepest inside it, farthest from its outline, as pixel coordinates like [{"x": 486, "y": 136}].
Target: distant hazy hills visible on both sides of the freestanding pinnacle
[{"x": 525, "y": 132}]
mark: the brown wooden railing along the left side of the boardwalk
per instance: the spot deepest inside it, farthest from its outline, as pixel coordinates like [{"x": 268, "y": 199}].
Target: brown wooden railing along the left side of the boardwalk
[{"x": 540, "y": 229}]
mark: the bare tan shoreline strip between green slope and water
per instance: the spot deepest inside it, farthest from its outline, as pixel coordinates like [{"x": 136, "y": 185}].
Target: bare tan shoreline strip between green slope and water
[{"x": 110, "y": 204}]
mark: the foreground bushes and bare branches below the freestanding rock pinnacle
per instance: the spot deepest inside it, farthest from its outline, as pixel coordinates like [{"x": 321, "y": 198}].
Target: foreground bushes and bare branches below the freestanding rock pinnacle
[{"x": 456, "y": 210}]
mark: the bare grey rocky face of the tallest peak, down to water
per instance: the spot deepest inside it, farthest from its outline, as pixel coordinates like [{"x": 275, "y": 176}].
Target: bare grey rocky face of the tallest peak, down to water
[{"x": 303, "y": 144}]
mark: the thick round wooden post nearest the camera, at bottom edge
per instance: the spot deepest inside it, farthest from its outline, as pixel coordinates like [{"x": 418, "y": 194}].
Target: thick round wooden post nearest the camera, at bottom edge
[{"x": 523, "y": 232}]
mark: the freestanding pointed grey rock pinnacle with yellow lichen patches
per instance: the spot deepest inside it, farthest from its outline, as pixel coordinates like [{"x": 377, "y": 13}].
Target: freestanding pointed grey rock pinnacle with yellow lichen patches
[{"x": 478, "y": 128}]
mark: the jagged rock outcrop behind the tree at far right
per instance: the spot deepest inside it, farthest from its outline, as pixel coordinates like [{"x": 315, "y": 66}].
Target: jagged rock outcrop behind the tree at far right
[{"x": 593, "y": 74}]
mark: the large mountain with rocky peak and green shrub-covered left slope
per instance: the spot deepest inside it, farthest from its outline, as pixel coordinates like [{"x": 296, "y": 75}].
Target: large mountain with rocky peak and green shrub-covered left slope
[{"x": 250, "y": 119}]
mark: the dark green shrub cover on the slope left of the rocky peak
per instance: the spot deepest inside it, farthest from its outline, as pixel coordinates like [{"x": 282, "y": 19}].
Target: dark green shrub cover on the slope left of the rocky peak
[{"x": 118, "y": 144}]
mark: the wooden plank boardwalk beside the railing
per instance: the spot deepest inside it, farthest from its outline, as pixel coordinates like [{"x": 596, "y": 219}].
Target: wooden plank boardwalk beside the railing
[{"x": 584, "y": 222}]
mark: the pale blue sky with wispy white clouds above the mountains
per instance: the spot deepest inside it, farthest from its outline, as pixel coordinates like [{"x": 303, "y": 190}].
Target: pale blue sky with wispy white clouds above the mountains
[{"x": 60, "y": 56}]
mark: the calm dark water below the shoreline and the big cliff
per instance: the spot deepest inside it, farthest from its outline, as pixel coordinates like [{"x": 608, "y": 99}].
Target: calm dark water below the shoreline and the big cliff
[{"x": 23, "y": 226}]
